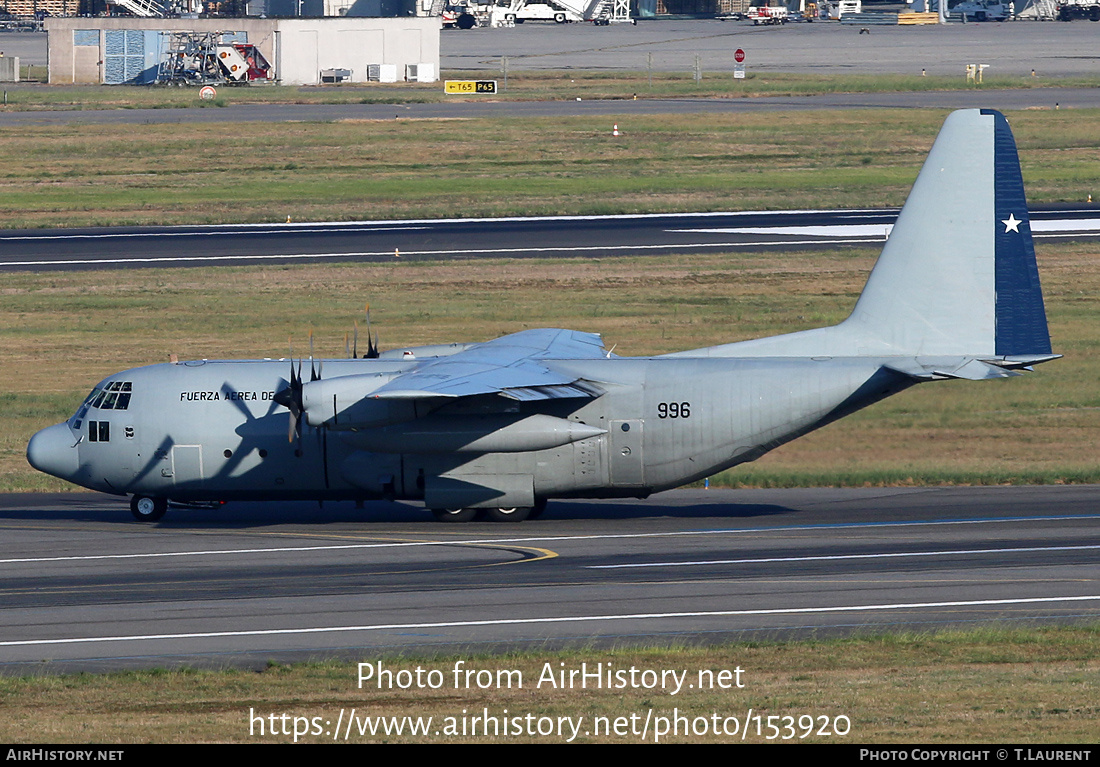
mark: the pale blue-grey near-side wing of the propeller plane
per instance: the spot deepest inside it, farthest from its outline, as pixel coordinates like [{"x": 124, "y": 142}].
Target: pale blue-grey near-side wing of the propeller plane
[{"x": 513, "y": 367}]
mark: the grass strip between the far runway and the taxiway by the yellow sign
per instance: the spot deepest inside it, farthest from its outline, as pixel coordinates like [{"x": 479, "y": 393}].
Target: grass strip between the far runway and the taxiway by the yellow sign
[{"x": 73, "y": 176}]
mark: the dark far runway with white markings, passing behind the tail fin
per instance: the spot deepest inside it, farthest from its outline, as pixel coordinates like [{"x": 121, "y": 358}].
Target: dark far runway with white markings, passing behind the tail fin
[{"x": 549, "y": 237}]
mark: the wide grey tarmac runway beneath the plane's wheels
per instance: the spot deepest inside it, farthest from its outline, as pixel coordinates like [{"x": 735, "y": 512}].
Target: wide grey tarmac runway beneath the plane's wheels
[{"x": 83, "y": 587}]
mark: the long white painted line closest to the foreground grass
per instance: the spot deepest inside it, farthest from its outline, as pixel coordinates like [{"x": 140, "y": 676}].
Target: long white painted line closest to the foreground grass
[{"x": 573, "y": 619}]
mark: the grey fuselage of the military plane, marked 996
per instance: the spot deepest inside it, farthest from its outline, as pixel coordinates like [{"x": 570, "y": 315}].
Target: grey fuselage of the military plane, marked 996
[{"x": 212, "y": 431}]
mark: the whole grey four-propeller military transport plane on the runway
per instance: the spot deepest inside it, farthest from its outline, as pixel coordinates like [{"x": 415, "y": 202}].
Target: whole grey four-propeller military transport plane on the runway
[{"x": 499, "y": 428}]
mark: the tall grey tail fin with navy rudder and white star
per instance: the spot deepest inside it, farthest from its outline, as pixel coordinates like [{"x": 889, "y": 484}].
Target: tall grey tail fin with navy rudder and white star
[{"x": 958, "y": 277}]
